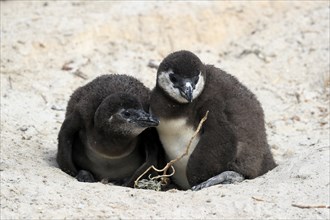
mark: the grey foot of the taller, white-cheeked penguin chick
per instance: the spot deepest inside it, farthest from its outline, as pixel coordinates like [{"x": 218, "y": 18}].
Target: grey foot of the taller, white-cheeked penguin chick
[{"x": 226, "y": 177}]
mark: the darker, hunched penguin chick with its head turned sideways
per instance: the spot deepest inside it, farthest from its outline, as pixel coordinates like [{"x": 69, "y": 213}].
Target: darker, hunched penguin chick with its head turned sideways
[{"x": 107, "y": 134}]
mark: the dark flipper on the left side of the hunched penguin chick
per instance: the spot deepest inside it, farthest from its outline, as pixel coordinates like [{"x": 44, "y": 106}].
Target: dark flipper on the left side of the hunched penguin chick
[{"x": 69, "y": 129}]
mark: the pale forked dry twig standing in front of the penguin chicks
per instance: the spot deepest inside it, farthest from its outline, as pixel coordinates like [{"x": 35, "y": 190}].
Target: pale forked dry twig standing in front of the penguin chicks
[{"x": 163, "y": 177}]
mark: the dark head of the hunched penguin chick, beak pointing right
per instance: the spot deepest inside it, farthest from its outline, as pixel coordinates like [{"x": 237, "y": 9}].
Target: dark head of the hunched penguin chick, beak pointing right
[{"x": 123, "y": 114}]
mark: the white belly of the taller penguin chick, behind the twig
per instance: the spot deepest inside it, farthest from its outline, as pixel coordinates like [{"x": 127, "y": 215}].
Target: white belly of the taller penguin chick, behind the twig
[{"x": 175, "y": 136}]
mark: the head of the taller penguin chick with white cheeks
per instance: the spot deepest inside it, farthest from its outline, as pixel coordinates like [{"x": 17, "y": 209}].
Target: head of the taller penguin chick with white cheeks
[{"x": 181, "y": 75}]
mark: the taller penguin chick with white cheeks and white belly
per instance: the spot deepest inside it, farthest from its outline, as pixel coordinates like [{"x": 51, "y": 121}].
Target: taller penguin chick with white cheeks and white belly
[{"x": 232, "y": 141}]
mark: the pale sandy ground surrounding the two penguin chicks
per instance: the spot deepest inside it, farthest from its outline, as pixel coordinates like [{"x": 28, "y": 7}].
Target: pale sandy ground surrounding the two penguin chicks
[{"x": 280, "y": 50}]
